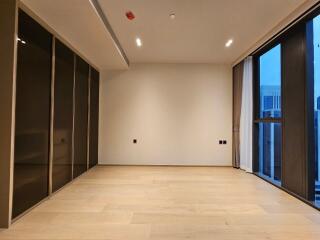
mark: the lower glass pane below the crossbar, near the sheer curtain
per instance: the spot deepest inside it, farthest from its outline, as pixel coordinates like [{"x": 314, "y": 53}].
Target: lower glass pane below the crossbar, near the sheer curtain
[{"x": 270, "y": 151}]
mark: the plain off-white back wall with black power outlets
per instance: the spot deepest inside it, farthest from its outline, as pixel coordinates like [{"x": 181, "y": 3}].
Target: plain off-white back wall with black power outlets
[{"x": 177, "y": 112}]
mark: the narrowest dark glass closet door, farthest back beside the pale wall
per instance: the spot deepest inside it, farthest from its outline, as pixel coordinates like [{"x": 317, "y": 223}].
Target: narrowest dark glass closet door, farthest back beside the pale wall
[{"x": 94, "y": 117}]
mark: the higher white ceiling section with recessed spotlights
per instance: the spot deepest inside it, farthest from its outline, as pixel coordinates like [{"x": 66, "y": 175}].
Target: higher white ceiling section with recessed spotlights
[{"x": 200, "y": 30}]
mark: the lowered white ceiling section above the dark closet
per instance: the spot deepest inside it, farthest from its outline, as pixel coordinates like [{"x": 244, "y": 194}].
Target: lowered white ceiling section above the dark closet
[{"x": 77, "y": 22}]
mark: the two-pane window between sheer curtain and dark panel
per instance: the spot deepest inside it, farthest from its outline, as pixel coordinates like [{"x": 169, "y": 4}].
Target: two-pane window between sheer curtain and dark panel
[{"x": 269, "y": 115}]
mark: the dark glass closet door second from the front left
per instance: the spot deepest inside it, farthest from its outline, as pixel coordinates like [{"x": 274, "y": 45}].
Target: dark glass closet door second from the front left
[{"x": 63, "y": 116}]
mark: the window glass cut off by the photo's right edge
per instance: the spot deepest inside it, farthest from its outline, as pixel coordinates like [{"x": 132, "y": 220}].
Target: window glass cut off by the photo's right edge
[{"x": 313, "y": 34}]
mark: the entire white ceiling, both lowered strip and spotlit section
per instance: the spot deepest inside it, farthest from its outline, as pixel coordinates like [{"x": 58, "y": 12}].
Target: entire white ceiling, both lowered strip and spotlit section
[{"x": 197, "y": 35}]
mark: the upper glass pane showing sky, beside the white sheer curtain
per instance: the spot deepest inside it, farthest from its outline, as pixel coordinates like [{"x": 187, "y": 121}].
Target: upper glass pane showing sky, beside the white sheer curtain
[{"x": 270, "y": 83}]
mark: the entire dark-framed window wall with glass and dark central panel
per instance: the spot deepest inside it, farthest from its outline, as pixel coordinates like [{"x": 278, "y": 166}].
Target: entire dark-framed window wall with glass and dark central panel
[{"x": 286, "y": 134}]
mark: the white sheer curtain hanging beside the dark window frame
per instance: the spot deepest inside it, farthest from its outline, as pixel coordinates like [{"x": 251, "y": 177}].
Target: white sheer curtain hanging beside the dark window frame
[{"x": 246, "y": 117}]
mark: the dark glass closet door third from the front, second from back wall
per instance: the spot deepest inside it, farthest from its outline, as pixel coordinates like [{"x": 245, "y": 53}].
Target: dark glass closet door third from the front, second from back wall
[{"x": 81, "y": 117}]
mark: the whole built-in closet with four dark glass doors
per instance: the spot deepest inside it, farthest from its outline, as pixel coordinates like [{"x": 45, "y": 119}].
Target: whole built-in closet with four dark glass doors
[{"x": 56, "y": 118}]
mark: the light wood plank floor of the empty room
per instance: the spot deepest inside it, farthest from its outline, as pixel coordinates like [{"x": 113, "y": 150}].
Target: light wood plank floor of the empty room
[{"x": 168, "y": 203}]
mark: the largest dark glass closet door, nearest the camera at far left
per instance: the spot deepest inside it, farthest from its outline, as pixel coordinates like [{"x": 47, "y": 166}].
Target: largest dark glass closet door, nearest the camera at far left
[{"x": 31, "y": 161}]
